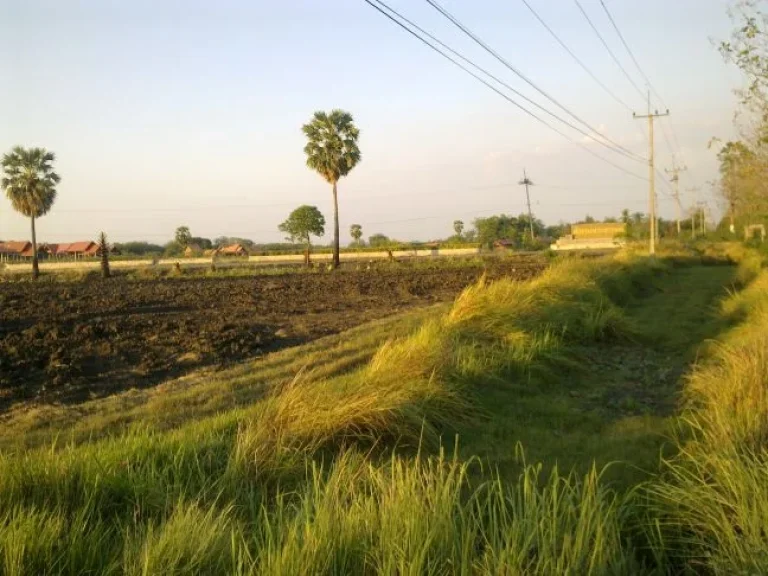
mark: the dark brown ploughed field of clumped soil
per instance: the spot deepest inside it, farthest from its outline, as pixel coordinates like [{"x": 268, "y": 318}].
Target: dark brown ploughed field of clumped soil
[{"x": 67, "y": 342}]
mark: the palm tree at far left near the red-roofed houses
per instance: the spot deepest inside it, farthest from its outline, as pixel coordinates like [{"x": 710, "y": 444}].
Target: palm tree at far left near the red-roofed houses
[{"x": 30, "y": 184}]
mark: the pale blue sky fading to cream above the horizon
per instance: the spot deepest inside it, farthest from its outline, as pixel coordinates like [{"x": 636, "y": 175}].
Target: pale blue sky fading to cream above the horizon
[{"x": 169, "y": 113}]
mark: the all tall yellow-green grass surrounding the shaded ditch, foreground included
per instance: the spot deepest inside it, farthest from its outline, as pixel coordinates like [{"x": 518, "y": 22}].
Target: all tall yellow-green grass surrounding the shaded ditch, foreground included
[{"x": 344, "y": 474}]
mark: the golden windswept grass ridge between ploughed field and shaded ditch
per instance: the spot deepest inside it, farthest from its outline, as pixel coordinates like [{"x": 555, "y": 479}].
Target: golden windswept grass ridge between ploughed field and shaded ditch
[{"x": 416, "y": 387}]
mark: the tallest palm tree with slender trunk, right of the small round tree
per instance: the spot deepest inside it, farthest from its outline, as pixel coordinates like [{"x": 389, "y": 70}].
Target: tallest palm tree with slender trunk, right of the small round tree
[{"x": 332, "y": 152}]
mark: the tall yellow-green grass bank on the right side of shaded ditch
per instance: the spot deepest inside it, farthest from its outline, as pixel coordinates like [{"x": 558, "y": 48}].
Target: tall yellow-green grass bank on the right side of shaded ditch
[{"x": 712, "y": 499}]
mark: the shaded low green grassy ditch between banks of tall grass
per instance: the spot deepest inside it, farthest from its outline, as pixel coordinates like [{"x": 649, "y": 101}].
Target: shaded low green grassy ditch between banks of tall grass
[{"x": 615, "y": 404}]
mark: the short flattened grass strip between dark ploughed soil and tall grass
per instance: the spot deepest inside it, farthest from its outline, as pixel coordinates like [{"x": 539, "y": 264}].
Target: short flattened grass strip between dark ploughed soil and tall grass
[{"x": 203, "y": 394}]
